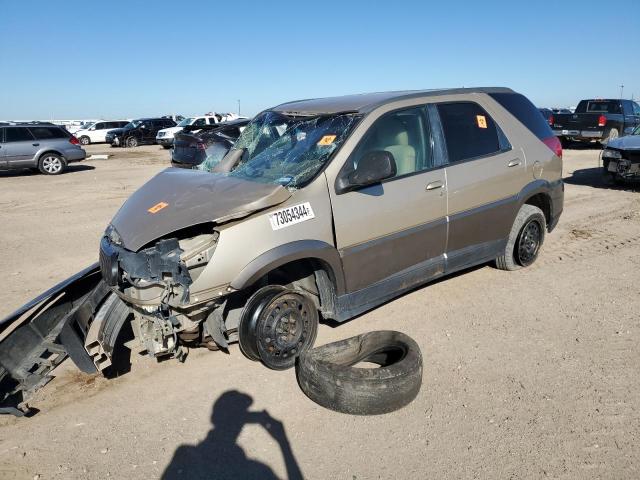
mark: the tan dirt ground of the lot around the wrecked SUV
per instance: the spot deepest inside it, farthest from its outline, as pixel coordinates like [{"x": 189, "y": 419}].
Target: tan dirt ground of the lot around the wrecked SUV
[{"x": 528, "y": 374}]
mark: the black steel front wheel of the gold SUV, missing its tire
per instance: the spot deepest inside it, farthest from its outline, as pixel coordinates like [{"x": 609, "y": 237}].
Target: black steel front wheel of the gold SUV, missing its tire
[{"x": 277, "y": 324}]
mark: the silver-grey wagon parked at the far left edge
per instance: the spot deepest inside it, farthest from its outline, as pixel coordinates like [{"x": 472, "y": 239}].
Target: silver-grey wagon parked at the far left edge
[{"x": 46, "y": 147}]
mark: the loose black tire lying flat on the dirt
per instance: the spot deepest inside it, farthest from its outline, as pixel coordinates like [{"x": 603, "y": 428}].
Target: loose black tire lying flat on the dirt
[{"x": 328, "y": 375}]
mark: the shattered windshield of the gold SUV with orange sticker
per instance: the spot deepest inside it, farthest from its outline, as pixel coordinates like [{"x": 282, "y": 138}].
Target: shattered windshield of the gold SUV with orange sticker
[{"x": 290, "y": 149}]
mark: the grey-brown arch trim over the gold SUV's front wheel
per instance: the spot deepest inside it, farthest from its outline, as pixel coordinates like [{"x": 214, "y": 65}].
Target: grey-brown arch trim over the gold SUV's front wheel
[{"x": 289, "y": 252}]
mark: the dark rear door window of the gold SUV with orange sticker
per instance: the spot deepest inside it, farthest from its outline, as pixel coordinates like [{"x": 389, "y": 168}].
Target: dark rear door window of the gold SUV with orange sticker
[{"x": 469, "y": 131}]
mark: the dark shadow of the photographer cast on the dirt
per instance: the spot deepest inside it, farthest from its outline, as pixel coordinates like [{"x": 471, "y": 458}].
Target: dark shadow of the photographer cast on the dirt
[{"x": 219, "y": 457}]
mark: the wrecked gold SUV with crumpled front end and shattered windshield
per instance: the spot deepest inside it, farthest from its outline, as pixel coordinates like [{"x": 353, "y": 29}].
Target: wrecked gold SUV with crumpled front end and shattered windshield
[{"x": 323, "y": 209}]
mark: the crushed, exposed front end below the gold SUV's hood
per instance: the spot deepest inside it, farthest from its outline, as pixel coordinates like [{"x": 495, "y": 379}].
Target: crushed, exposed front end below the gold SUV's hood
[{"x": 155, "y": 282}]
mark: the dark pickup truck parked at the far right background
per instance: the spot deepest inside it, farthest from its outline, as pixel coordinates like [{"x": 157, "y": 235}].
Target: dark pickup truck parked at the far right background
[{"x": 597, "y": 119}]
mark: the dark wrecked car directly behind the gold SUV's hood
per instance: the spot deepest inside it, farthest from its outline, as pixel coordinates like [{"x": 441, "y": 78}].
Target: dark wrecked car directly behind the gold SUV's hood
[{"x": 204, "y": 147}]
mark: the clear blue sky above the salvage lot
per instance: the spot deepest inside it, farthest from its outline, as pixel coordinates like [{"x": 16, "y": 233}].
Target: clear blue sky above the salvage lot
[{"x": 126, "y": 59}]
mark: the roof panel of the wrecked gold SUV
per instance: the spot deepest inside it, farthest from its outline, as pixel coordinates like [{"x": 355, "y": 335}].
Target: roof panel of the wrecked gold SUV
[{"x": 366, "y": 102}]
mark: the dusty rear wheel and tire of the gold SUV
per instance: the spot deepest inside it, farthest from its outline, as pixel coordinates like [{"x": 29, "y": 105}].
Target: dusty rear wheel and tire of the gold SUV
[{"x": 525, "y": 239}]
